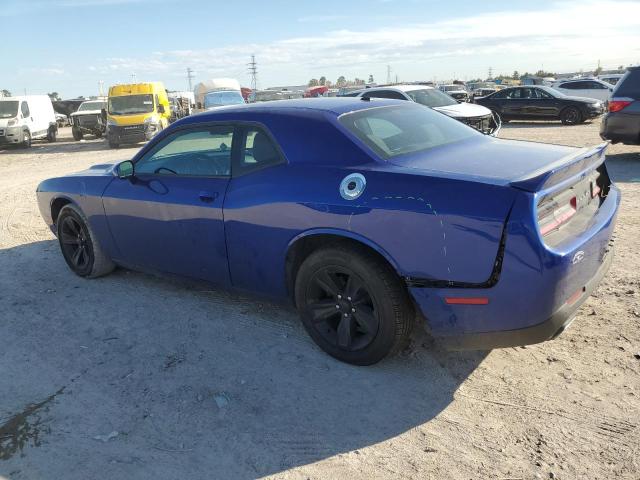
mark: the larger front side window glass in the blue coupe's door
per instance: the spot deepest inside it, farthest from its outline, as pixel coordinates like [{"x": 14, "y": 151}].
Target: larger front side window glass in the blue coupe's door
[{"x": 201, "y": 152}]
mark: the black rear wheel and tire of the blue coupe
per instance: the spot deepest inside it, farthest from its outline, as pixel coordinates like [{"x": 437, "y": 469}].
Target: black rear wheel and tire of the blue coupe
[{"x": 353, "y": 305}]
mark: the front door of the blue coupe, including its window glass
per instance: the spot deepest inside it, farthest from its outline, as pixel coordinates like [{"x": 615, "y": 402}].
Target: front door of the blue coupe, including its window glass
[{"x": 168, "y": 217}]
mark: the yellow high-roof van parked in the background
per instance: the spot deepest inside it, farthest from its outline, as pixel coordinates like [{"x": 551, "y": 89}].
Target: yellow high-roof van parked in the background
[{"x": 136, "y": 112}]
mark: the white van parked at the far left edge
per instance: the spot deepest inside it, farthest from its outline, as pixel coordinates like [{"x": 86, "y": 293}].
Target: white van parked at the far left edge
[{"x": 27, "y": 118}]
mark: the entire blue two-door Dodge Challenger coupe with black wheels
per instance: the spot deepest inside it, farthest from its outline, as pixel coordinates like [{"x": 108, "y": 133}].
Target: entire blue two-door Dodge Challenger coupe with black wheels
[{"x": 369, "y": 215}]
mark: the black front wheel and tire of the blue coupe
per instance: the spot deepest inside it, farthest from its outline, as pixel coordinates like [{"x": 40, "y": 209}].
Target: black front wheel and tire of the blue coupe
[{"x": 75, "y": 235}]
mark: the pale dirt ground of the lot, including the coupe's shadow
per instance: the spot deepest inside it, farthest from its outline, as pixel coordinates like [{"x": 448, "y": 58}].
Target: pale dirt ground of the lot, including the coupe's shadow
[{"x": 134, "y": 376}]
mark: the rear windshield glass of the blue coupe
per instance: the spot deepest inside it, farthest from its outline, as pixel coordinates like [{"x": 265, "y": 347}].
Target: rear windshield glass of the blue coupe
[{"x": 401, "y": 129}]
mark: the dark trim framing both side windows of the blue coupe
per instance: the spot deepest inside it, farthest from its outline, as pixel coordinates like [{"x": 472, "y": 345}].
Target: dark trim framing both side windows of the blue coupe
[{"x": 237, "y": 147}]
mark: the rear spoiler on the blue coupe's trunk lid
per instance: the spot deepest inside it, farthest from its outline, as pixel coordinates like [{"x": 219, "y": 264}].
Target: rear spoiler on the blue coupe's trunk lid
[{"x": 566, "y": 167}]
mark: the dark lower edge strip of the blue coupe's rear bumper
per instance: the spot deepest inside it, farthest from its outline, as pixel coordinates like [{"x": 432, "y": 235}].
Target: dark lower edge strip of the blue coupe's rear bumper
[{"x": 547, "y": 330}]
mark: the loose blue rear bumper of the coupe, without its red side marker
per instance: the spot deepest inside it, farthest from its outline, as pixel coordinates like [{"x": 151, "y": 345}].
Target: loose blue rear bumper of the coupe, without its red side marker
[{"x": 538, "y": 289}]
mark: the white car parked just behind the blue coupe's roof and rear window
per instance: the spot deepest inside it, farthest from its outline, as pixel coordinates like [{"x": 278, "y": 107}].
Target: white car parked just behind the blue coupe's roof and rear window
[{"x": 476, "y": 116}]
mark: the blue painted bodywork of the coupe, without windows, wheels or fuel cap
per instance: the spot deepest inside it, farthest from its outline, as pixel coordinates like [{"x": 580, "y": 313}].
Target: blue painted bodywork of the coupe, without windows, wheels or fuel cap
[{"x": 457, "y": 222}]
